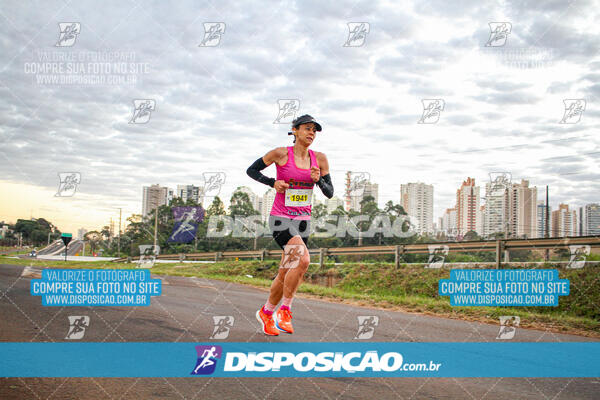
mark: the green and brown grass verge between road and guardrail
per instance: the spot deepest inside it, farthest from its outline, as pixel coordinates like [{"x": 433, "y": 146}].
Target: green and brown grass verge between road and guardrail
[{"x": 409, "y": 288}]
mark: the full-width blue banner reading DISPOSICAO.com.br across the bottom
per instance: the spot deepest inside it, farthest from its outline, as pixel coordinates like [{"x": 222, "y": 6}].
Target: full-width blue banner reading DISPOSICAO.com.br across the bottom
[{"x": 312, "y": 359}]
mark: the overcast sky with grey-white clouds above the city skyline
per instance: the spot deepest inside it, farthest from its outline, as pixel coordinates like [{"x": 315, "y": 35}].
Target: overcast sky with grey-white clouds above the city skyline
[{"x": 215, "y": 105}]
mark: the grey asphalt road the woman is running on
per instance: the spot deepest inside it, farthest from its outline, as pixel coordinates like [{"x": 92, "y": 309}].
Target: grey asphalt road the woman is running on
[{"x": 184, "y": 311}]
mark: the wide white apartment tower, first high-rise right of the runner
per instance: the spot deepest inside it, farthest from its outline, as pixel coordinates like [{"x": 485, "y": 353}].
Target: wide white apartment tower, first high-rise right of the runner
[{"x": 417, "y": 201}]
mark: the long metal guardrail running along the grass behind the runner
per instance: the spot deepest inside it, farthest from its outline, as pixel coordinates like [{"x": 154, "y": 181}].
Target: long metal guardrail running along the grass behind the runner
[{"x": 497, "y": 246}]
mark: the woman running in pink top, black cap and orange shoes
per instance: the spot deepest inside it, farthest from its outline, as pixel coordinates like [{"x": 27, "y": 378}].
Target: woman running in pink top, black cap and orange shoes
[{"x": 298, "y": 170}]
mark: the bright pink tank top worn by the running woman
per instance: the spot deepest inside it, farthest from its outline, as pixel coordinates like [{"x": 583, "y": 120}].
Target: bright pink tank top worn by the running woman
[{"x": 297, "y": 178}]
